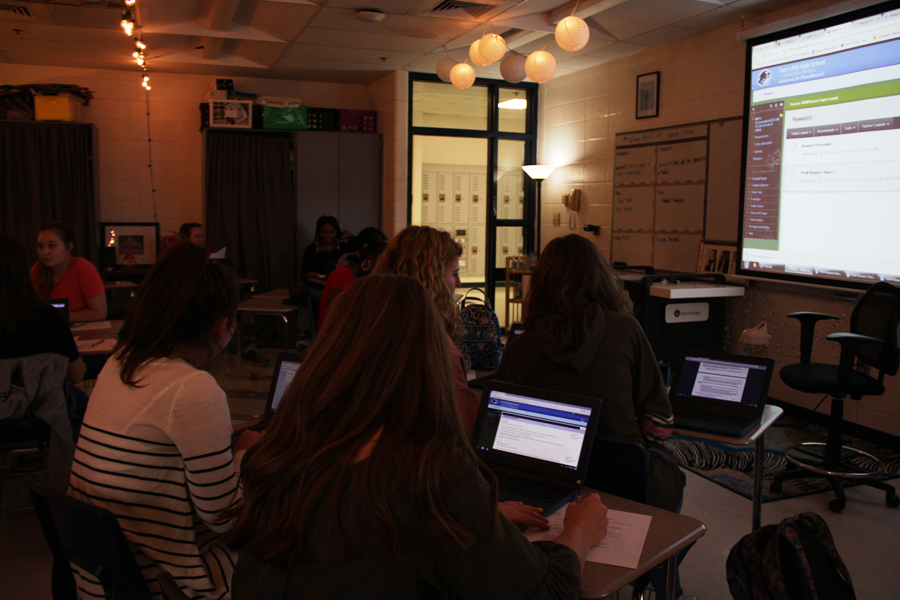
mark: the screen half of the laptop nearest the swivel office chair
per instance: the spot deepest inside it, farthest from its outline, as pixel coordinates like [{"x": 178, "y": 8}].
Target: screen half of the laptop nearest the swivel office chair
[{"x": 721, "y": 379}]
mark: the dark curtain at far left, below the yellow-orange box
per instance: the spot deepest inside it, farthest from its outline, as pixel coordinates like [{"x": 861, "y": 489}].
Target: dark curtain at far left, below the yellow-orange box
[{"x": 46, "y": 174}]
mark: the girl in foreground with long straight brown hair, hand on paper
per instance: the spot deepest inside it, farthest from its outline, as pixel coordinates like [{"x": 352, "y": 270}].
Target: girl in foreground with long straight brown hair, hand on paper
[{"x": 366, "y": 485}]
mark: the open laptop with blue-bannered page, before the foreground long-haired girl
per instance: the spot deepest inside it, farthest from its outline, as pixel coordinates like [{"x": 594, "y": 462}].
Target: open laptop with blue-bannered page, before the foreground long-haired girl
[{"x": 538, "y": 442}]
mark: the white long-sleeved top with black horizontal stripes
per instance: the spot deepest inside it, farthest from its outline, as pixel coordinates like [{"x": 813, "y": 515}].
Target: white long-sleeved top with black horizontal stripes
[{"x": 159, "y": 458}]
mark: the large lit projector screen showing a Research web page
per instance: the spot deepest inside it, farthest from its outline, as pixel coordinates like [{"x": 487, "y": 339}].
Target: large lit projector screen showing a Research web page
[{"x": 820, "y": 200}]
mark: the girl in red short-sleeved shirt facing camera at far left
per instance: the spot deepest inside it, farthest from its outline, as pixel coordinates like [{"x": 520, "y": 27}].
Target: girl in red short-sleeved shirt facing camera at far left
[{"x": 61, "y": 273}]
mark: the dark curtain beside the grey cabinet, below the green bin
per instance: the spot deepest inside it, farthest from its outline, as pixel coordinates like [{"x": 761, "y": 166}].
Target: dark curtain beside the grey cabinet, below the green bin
[{"x": 250, "y": 204}]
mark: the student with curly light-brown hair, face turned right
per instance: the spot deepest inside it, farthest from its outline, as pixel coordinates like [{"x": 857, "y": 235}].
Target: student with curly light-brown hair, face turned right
[{"x": 432, "y": 257}]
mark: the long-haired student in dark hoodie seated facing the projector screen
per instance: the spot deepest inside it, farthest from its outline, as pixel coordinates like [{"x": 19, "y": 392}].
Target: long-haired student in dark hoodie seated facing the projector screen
[{"x": 580, "y": 338}]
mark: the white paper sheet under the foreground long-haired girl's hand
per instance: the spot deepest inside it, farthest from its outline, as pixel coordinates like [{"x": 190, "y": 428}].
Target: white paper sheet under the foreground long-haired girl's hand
[{"x": 622, "y": 545}]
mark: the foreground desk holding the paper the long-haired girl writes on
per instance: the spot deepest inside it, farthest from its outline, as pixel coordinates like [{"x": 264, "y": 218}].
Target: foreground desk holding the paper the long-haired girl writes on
[{"x": 669, "y": 533}]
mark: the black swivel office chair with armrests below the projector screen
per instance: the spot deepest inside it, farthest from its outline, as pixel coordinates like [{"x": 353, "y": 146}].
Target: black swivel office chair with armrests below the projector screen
[{"x": 872, "y": 342}]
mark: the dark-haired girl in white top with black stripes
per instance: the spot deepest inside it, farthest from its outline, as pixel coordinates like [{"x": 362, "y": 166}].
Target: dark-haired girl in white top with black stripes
[{"x": 155, "y": 445}]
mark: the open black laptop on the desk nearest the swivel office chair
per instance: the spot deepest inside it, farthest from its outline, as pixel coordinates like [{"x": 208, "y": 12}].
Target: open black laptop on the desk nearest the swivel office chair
[{"x": 720, "y": 393}]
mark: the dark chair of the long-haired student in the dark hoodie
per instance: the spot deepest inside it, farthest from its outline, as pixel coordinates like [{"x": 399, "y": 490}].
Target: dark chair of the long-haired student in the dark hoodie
[{"x": 620, "y": 468}]
